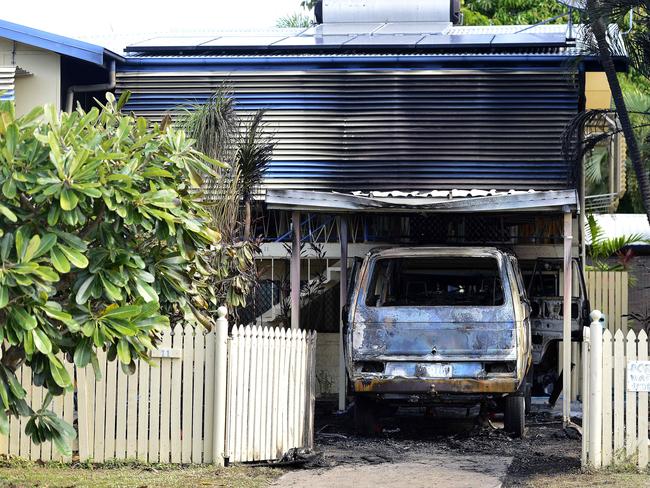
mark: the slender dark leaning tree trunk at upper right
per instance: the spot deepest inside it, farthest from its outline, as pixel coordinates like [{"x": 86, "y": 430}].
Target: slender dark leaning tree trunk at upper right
[{"x": 599, "y": 28}]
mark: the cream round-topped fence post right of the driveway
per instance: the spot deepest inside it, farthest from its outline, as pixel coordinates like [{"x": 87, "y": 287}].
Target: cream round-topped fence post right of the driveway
[{"x": 595, "y": 388}]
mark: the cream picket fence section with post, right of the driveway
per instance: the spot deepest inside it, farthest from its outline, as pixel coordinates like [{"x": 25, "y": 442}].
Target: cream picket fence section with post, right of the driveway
[{"x": 615, "y": 419}]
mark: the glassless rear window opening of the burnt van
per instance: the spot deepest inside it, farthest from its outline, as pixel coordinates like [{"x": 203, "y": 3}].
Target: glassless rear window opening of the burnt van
[{"x": 435, "y": 281}]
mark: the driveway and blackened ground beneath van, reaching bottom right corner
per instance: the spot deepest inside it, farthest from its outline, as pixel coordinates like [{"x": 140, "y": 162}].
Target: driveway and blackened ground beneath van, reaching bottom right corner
[{"x": 415, "y": 451}]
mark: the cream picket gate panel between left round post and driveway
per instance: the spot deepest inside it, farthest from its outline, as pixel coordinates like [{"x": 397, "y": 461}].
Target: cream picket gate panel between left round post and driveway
[{"x": 271, "y": 392}]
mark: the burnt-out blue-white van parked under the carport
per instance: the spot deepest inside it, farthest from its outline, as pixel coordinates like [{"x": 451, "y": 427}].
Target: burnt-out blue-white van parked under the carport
[{"x": 449, "y": 325}]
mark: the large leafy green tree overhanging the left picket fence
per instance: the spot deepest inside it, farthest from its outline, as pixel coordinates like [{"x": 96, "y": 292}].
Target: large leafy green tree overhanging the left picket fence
[{"x": 102, "y": 240}]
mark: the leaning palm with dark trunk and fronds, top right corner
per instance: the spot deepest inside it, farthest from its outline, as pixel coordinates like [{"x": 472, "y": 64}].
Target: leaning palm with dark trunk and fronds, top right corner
[{"x": 599, "y": 15}]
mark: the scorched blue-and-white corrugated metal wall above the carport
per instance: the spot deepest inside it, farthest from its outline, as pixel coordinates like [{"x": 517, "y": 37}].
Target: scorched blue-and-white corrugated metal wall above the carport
[{"x": 380, "y": 129}]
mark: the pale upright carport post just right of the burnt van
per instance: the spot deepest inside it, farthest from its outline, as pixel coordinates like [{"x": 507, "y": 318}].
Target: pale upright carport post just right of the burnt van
[{"x": 566, "y": 315}]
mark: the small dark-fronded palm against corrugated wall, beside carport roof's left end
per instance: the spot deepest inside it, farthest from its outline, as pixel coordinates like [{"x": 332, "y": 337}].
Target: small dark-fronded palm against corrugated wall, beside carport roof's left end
[{"x": 252, "y": 157}]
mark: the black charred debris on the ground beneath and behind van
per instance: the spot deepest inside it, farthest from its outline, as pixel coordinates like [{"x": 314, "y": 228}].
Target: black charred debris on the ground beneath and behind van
[{"x": 545, "y": 448}]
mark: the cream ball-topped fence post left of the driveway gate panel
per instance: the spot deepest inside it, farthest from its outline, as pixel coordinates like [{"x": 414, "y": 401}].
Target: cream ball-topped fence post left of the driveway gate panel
[{"x": 220, "y": 380}]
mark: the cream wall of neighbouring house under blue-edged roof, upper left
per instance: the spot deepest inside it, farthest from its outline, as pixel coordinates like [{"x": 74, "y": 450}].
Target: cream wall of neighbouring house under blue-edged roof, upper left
[{"x": 44, "y": 85}]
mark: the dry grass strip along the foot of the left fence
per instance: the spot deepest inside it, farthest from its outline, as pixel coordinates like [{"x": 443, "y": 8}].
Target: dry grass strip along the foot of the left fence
[{"x": 21, "y": 473}]
